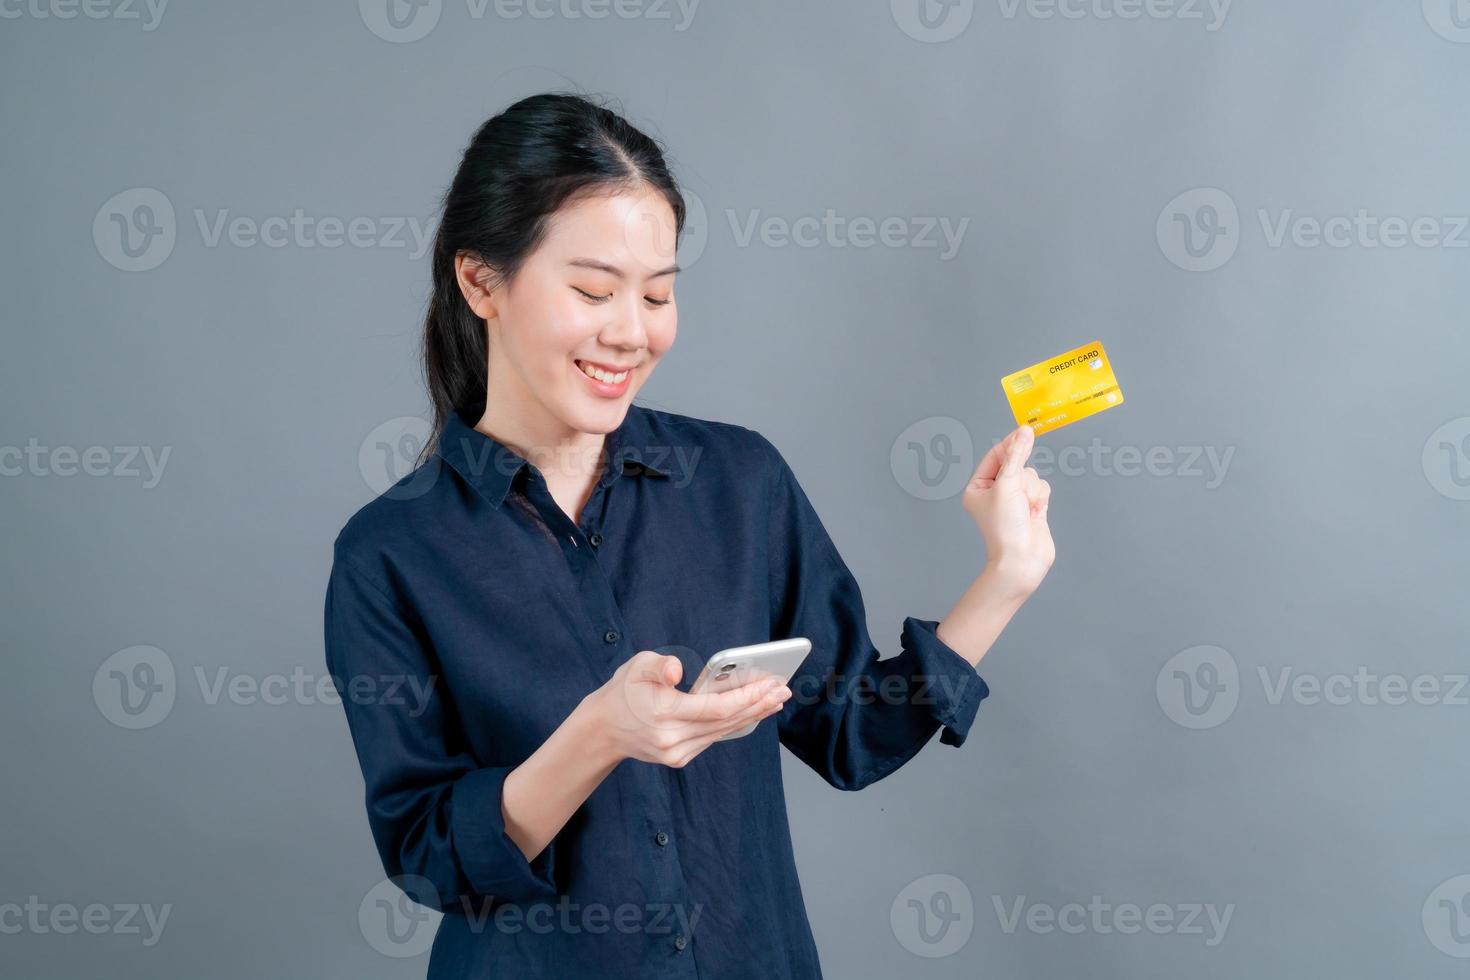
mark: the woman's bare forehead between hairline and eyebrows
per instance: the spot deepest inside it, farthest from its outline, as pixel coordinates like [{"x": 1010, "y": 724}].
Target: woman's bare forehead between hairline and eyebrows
[{"x": 633, "y": 227}]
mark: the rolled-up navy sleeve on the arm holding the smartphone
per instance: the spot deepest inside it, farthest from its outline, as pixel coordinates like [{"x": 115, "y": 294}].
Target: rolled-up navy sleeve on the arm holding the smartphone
[{"x": 436, "y": 815}]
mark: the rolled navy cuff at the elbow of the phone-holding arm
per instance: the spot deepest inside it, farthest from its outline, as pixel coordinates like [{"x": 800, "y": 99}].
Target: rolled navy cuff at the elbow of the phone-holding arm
[{"x": 493, "y": 863}]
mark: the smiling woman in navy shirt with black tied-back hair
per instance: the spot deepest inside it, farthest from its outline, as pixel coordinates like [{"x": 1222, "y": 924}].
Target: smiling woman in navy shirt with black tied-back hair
[{"x": 543, "y": 775}]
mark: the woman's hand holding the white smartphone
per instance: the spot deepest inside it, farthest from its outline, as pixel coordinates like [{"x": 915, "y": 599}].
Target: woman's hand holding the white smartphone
[{"x": 649, "y": 719}]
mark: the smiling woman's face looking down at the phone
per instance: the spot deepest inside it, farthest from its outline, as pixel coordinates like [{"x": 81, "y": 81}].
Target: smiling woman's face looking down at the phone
[{"x": 587, "y": 318}]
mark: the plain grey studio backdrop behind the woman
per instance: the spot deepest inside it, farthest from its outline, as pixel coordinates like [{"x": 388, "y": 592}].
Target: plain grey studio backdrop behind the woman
[{"x": 1334, "y": 543}]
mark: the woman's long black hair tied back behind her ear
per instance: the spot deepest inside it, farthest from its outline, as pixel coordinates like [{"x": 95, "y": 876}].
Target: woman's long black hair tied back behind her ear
[{"x": 520, "y": 168}]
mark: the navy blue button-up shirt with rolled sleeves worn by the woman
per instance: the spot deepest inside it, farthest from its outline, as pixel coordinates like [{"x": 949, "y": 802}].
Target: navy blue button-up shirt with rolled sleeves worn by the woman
[{"x": 467, "y": 616}]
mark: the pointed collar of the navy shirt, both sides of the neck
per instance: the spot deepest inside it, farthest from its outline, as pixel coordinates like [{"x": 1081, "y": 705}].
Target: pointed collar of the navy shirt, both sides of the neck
[{"x": 490, "y": 466}]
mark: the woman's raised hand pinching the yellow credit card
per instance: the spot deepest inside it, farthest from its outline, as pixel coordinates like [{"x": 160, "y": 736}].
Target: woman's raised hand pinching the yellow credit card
[{"x": 1009, "y": 502}]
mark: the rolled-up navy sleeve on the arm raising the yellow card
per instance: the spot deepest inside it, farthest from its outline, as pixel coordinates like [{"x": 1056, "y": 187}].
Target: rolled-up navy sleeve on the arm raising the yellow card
[{"x": 853, "y": 718}]
